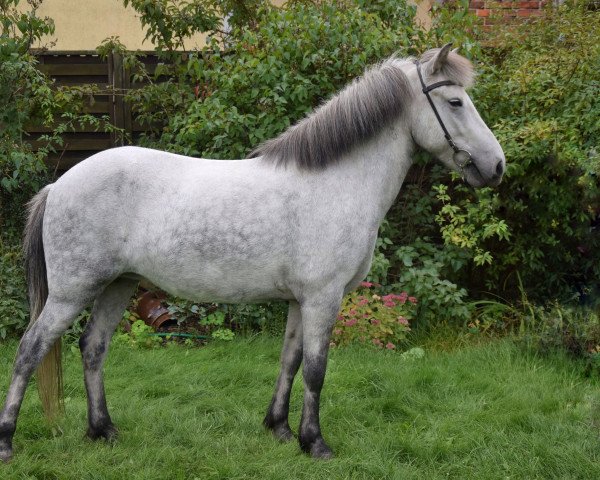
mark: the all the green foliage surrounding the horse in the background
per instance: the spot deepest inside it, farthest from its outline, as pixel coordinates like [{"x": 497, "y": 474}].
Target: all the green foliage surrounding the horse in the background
[{"x": 533, "y": 239}]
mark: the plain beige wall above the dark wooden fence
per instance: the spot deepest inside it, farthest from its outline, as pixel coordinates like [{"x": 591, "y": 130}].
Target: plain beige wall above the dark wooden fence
[{"x": 84, "y": 24}]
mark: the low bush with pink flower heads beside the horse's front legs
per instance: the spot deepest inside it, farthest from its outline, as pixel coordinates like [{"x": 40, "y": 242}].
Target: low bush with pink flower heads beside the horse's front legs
[{"x": 369, "y": 318}]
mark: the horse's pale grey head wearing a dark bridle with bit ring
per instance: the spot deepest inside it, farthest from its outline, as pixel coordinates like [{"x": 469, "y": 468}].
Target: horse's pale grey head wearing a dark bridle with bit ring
[{"x": 445, "y": 122}]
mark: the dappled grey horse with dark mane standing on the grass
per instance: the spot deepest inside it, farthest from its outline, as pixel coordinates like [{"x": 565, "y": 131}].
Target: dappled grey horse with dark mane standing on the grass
[{"x": 297, "y": 221}]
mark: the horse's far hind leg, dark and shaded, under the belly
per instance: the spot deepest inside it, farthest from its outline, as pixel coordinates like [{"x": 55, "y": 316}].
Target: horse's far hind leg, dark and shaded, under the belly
[{"x": 106, "y": 314}]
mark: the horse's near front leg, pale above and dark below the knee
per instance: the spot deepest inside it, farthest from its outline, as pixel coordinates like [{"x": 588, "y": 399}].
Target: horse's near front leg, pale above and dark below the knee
[{"x": 318, "y": 317}]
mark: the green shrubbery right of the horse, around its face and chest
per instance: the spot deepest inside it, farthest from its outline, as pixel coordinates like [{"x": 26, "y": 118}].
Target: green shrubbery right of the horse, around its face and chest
[{"x": 538, "y": 91}]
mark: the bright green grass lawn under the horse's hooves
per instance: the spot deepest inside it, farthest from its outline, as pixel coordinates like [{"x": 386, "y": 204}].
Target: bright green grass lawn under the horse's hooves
[{"x": 481, "y": 412}]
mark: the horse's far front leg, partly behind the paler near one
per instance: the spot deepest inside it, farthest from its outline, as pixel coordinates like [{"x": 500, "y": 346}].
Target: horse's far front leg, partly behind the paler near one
[{"x": 291, "y": 357}]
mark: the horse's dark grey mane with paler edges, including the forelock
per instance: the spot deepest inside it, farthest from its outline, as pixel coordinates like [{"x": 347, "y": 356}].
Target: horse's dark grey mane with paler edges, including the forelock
[{"x": 354, "y": 115}]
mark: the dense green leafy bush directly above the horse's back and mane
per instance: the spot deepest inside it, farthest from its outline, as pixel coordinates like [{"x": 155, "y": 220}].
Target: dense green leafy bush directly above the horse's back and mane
[{"x": 277, "y": 65}]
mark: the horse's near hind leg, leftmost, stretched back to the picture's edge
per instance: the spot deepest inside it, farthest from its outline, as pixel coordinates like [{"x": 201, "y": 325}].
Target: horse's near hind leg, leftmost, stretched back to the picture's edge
[{"x": 55, "y": 318}]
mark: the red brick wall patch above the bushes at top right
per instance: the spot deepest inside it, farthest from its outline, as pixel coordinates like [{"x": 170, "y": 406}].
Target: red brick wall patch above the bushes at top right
[{"x": 498, "y": 11}]
